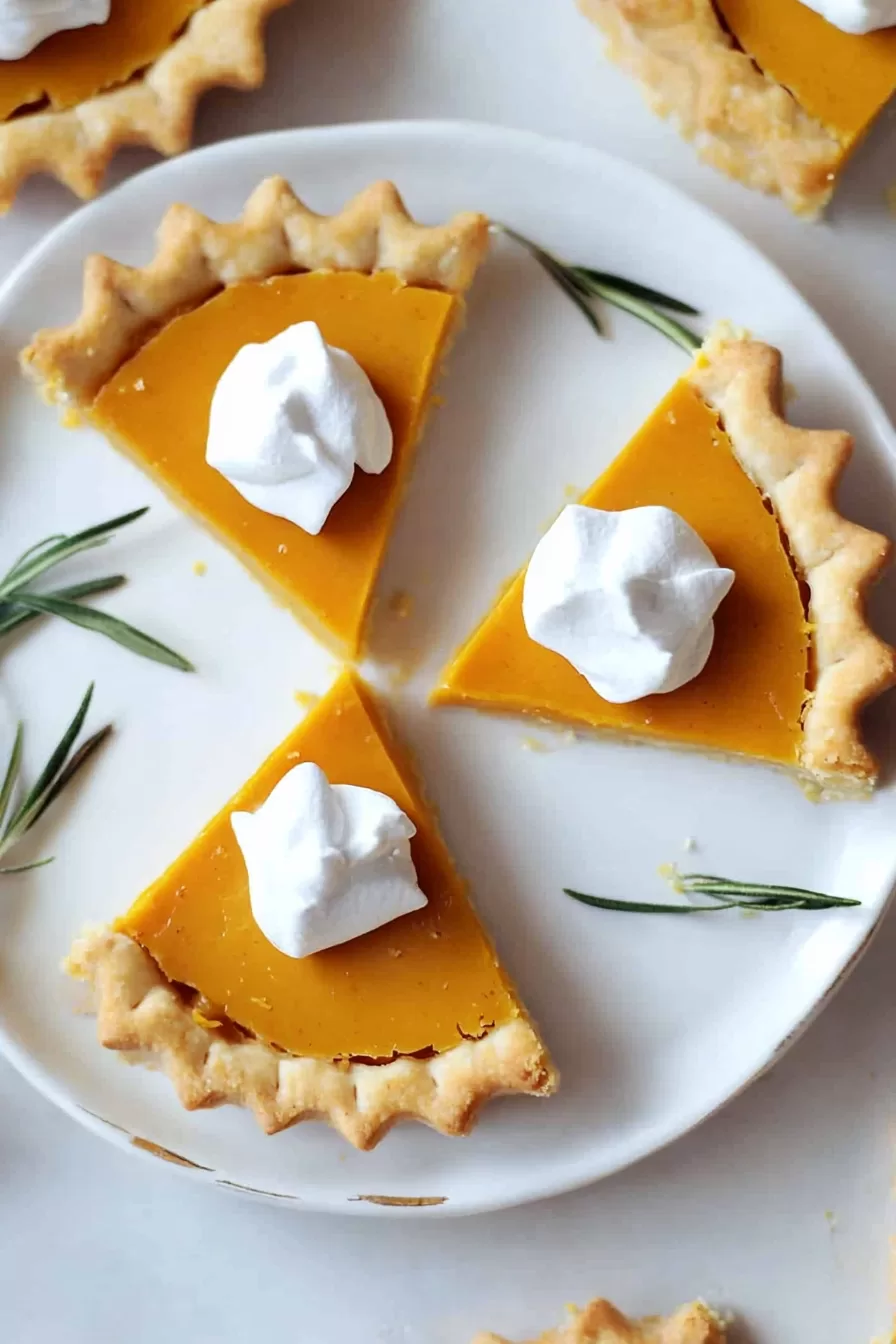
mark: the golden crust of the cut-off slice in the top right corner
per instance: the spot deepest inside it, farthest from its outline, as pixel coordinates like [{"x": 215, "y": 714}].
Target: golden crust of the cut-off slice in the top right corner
[{"x": 741, "y": 120}]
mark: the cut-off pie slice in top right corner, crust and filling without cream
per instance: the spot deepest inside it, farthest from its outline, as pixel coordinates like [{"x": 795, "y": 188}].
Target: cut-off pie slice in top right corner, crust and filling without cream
[{"x": 770, "y": 92}]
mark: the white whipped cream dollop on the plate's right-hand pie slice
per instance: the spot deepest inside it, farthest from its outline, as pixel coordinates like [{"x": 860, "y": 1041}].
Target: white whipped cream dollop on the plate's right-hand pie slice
[{"x": 627, "y": 597}]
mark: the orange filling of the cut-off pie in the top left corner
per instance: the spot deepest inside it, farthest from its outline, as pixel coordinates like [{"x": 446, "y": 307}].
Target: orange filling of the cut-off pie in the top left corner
[{"x": 69, "y": 68}]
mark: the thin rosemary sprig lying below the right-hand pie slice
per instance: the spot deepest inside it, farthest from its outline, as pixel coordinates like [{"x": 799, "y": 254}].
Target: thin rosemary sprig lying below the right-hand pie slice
[{"x": 725, "y": 893}]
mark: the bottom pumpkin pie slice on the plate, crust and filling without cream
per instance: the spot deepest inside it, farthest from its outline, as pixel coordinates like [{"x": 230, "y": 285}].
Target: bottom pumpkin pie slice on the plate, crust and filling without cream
[{"x": 417, "y": 1019}]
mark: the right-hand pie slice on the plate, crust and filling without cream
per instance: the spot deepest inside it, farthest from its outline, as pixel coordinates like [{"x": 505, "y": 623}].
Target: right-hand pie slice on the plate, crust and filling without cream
[{"x": 795, "y": 661}]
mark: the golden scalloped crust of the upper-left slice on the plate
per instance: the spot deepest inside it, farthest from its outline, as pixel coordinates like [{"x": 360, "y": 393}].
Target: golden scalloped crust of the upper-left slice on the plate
[{"x": 195, "y": 257}]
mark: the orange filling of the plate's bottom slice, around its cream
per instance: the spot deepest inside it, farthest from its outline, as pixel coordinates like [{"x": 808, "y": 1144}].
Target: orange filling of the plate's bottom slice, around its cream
[{"x": 416, "y": 987}]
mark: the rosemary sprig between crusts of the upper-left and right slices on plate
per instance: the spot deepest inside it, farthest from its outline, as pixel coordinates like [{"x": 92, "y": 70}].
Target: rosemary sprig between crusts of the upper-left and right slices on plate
[{"x": 584, "y": 284}]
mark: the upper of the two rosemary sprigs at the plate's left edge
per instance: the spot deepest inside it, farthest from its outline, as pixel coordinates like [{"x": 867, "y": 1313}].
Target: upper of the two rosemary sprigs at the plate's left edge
[{"x": 19, "y": 605}]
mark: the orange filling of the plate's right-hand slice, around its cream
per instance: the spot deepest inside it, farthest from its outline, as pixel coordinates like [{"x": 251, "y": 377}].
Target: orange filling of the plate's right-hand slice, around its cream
[{"x": 750, "y": 697}]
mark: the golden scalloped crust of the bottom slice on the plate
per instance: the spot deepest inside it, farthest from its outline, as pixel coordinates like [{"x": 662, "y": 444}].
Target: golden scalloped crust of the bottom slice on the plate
[{"x": 140, "y": 1013}]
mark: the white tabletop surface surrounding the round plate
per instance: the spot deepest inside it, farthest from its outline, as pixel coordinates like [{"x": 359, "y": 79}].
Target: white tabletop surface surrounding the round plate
[{"x": 737, "y": 1212}]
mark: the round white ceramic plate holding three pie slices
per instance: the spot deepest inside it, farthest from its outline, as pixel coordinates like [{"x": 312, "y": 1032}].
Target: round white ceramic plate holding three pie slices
[{"x": 655, "y": 1022}]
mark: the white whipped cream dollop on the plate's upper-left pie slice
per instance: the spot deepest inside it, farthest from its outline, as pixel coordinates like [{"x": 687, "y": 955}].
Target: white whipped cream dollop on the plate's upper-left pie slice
[{"x": 291, "y": 420}]
